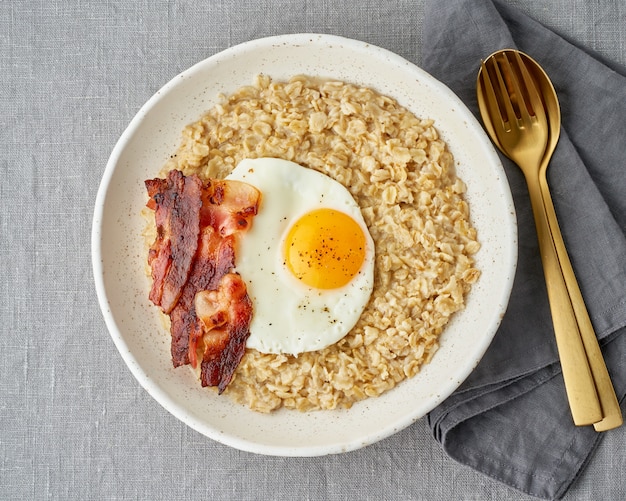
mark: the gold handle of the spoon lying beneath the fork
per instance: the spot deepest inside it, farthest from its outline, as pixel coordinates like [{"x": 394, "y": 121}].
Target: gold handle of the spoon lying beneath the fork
[{"x": 612, "y": 414}]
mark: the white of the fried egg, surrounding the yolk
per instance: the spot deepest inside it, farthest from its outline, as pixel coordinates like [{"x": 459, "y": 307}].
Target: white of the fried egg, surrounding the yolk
[{"x": 290, "y": 317}]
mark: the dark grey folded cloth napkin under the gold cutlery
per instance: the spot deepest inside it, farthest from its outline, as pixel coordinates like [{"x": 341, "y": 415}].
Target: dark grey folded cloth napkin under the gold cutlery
[{"x": 510, "y": 419}]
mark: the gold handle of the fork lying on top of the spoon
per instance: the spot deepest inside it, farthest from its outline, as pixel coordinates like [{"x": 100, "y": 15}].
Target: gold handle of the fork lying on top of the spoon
[{"x": 579, "y": 384}]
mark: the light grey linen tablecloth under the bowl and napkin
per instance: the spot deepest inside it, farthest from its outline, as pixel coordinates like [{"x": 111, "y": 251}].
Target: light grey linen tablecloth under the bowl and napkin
[{"x": 74, "y": 423}]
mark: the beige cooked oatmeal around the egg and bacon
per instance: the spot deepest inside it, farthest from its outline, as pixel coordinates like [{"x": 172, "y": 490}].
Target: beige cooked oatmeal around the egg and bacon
[{"x": 402, "y": 176}]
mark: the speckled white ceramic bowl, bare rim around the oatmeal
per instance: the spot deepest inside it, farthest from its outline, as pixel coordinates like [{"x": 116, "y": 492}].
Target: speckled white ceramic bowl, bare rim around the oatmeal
[{"x": 118, "y": 251}]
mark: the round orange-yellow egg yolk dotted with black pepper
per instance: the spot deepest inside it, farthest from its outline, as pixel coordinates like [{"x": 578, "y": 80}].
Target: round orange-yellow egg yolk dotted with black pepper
[{"x": 325, "y": 249}]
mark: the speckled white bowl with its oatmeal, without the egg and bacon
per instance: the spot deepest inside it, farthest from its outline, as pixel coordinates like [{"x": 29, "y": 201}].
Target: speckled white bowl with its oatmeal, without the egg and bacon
[{"x": 431, "y": 191}]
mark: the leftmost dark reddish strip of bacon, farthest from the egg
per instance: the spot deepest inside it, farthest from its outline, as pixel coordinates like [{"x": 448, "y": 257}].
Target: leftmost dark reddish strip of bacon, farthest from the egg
[{"x": 176, "y": 201}]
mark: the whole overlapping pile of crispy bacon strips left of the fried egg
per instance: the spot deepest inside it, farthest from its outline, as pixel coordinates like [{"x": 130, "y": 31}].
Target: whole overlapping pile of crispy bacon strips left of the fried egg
[{"x": 192, "y": 261}]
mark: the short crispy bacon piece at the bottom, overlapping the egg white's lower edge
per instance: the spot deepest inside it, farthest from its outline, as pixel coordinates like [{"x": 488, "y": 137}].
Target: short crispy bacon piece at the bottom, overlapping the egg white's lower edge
[{"x": 225, "y": 316}]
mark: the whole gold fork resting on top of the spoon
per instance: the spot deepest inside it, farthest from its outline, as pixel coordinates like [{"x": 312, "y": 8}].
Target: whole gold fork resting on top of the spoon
[{"x": 513, "y": 113}]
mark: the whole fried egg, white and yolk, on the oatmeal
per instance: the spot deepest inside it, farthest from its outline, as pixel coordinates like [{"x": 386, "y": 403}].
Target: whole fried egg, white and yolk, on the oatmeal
[{"x": 308, "y": 260}]
